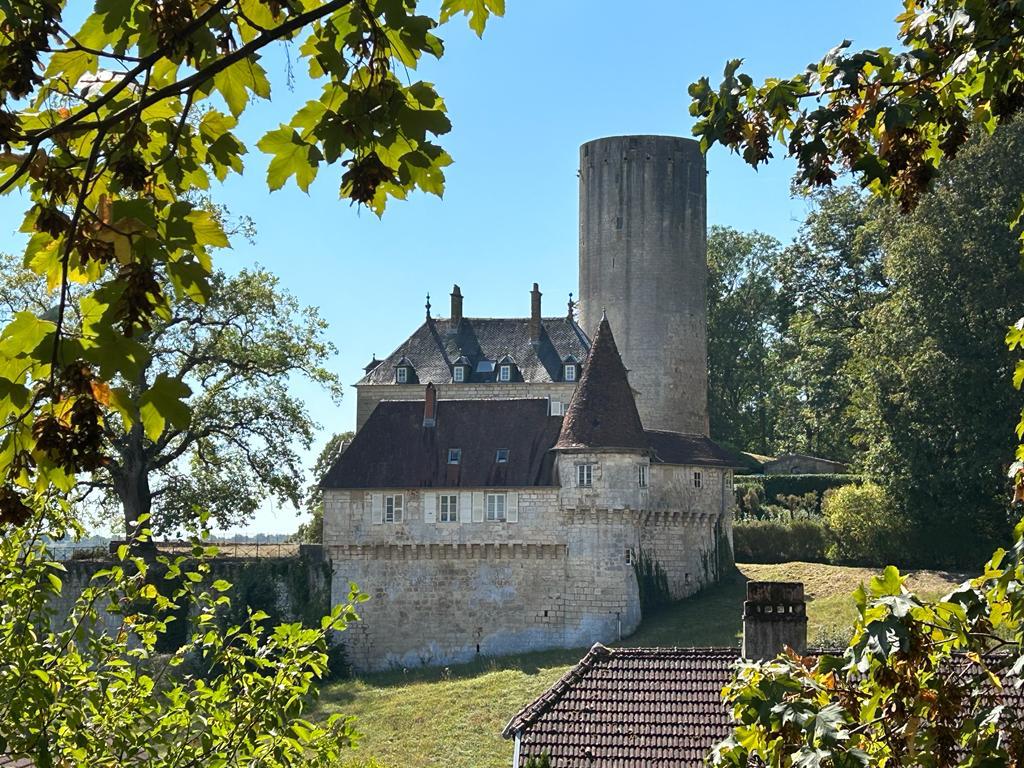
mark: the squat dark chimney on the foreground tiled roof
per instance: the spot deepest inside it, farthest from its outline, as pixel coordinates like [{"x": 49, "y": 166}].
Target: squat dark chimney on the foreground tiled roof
[{"x": 775, "y": 617}]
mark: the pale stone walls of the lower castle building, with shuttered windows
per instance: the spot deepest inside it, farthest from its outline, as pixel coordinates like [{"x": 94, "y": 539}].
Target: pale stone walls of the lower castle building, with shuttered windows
[{"x": 558, "y": 572}]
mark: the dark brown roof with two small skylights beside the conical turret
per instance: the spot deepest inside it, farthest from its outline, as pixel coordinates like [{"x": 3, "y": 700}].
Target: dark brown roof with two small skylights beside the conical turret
[{"x": 394, "y": 450}]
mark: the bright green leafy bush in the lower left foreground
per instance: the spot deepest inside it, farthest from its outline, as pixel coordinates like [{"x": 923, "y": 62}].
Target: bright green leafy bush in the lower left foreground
[{"x": 89, "y": 688}]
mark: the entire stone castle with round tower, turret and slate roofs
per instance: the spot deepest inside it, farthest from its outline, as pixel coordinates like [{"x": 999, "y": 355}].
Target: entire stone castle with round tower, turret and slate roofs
[{"x": 515, "y": 485}]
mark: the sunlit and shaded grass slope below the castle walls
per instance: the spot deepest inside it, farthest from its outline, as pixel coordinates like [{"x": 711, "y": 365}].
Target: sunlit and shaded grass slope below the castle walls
[{"x": 430, "y": 717}]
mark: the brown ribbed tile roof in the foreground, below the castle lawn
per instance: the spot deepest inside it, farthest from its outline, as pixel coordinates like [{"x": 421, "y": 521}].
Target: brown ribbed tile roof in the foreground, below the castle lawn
[{"x": 631, "y": 708}]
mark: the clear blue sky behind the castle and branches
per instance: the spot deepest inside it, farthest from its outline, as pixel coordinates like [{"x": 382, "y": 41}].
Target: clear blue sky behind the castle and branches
[{"x": 544, "y": 79}]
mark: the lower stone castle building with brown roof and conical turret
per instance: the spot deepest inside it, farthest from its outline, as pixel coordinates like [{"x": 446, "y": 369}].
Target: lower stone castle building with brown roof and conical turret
[{"x": 495, "y": 526}]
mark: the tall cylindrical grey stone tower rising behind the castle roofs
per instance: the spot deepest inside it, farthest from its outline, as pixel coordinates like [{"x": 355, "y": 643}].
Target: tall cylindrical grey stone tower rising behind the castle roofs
[{"x": 644, "y": 260}]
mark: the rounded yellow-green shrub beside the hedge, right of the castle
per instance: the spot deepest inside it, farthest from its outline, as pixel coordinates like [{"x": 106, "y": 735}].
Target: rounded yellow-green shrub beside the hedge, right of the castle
[{"x": 865, "y": 528}]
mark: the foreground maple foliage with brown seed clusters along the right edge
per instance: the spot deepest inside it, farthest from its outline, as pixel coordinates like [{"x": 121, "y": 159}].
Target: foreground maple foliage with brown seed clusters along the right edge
[{"x": 920, "y": 682}]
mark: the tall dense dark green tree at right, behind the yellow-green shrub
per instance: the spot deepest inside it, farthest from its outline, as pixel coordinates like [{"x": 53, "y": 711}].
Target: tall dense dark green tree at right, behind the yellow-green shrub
[{"x": 935, "y": 415}]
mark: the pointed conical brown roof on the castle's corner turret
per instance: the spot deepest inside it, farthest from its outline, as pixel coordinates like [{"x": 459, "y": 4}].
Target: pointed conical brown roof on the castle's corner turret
[{"x": 603, "y": 413}]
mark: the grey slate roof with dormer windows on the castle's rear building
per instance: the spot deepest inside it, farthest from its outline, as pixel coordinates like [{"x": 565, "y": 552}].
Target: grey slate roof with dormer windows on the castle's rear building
[{"x": 436, "y": 346}]
